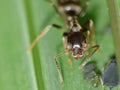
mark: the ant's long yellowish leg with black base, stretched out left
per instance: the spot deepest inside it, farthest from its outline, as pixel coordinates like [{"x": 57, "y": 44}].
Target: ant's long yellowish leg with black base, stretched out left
[{"x": 45, "y": 31}]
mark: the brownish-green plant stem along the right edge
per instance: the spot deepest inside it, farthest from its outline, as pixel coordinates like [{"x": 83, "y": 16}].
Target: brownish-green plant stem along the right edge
[{"x": 114, "y": 13}]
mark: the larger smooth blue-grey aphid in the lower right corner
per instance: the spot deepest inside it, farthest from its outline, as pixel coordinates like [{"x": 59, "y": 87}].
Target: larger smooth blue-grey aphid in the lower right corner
[{"x": 110, "y": 75}]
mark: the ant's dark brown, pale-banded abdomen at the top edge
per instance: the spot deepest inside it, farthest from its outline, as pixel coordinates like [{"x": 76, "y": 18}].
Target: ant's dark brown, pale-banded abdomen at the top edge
[{"x": 69, "y": 7}]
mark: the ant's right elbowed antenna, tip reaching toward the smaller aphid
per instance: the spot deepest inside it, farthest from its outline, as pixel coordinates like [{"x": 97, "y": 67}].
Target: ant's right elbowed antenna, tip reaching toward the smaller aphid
[{"x": 96, "y": 47}]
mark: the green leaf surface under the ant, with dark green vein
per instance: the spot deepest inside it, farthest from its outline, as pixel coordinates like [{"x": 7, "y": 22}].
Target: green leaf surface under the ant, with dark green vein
[{"x": 20, "y": 22}]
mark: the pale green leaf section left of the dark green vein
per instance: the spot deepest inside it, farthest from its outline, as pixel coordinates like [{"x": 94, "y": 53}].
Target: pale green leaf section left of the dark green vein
[{"x": 16, "y": 67}]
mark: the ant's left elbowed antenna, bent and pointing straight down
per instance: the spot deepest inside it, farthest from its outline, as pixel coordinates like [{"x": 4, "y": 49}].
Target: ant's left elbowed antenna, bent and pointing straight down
[{"x": 58, "y": 66}]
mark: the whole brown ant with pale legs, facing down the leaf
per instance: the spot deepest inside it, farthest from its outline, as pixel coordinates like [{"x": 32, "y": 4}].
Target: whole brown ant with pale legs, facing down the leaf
[{"x": 77, "y": 40}]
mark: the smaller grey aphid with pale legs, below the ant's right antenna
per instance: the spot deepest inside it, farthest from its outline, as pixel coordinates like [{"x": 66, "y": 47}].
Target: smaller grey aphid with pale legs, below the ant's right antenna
[{"x": 92, "y": 74}]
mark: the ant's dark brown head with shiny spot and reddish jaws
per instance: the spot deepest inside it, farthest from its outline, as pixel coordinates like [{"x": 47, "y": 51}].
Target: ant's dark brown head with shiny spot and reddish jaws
[{"x": 78, "y": 44}]
